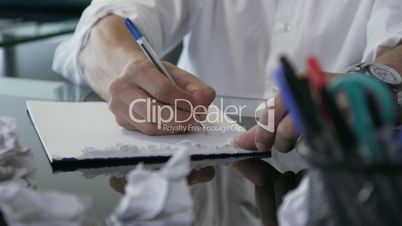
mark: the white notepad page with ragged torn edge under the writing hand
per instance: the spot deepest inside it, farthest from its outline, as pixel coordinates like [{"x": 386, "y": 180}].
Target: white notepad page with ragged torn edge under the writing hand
[{"x": 88, "y": 131}]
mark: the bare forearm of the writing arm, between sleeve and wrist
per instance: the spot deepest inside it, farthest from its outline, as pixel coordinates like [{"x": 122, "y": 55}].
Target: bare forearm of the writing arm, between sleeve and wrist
[{"x": 109, "y": 48}]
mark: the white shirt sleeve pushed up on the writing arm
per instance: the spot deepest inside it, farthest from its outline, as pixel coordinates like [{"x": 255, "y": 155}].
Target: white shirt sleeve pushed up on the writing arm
[{"x": 163, "y": 22}]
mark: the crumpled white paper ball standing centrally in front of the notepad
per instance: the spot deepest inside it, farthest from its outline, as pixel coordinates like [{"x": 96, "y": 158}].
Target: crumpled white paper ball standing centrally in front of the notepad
[{"x": 156, "y": 198}]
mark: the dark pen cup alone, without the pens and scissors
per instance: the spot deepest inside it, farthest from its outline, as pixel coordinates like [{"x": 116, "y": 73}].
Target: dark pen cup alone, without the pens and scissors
[{"x": 344, "y": 194}]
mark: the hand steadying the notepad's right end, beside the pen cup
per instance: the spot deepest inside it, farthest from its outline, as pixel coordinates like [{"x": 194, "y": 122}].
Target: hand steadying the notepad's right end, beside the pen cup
[{"x": 283, "y": 138}]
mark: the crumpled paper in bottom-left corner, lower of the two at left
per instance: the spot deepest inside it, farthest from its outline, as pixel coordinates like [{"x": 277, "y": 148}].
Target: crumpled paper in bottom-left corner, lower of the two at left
[{"x": 23, "y": 206}]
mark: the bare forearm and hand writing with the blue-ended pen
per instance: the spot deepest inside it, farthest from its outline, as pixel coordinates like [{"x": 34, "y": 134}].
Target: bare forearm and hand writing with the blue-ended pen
[{"x": 118, "y": 70}]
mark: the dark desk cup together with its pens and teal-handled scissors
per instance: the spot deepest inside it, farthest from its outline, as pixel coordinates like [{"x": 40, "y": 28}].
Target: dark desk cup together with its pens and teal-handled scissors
[{"x": 356, "y": 160}]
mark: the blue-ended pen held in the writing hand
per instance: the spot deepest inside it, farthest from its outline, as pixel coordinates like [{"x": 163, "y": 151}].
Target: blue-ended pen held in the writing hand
[{"x": 147, "y": 49}]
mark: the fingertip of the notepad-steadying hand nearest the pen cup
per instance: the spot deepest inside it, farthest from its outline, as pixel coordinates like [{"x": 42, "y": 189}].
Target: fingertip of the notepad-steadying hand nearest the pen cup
[{"x": 286, "y": 135}]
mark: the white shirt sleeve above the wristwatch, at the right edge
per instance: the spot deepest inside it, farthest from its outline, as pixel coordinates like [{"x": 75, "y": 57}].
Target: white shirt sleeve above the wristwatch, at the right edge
[{"x": 384, "y": 28}]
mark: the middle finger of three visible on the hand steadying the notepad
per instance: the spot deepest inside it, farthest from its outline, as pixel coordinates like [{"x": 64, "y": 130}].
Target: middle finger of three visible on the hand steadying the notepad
[{"x": 264, "y": 138}]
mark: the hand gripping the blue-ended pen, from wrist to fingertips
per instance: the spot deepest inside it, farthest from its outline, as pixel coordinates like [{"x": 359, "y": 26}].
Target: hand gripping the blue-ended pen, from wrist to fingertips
[{"x": 141, "y": 82}]
